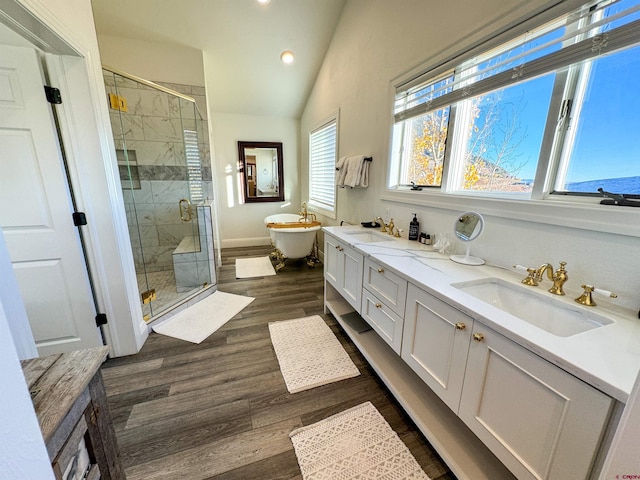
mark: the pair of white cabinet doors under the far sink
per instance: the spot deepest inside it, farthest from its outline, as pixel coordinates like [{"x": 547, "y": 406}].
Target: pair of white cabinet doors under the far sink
[{"x": 343, "y": 269}]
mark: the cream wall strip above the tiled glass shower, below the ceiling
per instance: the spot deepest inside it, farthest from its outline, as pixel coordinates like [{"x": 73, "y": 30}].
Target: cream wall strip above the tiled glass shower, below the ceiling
[{"x": 153, "y": 61}]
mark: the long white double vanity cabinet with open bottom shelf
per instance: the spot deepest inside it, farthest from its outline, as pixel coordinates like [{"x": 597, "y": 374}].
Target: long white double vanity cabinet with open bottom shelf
[{"x": 492, "y": 408}]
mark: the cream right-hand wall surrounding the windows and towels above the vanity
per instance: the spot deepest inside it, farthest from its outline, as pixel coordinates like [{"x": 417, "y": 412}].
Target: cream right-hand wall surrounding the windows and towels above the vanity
[{"x": 378, "y": 41}]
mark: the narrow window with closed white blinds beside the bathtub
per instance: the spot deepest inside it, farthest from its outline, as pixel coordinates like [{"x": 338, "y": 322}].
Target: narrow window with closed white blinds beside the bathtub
[{"x": 322, "y": 167}]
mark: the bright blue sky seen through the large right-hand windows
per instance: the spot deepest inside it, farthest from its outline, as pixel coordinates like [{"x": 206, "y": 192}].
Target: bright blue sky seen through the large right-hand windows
[{"x": 607, "y": 140}]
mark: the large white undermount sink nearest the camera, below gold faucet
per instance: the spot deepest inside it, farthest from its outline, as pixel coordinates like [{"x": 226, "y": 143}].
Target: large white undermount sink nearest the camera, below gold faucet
[{"x": 538, "y": 308}]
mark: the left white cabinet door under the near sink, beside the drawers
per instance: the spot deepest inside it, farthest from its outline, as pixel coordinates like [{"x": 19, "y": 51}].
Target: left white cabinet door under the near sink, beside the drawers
[{"x": 435, "y": 344}]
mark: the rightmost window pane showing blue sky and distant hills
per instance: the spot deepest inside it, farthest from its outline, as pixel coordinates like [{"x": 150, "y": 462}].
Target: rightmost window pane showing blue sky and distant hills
[{"x": 602, "y": 150}]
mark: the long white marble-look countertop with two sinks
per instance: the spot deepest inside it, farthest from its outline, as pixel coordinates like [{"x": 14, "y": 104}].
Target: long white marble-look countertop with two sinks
[{"x": 607, "y": 357}]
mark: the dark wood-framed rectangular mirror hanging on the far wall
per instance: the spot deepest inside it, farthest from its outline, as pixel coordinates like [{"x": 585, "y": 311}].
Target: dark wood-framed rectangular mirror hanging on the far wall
[{"x": 262, "y": 171}]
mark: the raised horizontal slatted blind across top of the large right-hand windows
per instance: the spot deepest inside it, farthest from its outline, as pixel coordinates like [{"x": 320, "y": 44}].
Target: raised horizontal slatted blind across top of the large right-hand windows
[{"x": 583, "y": 35}]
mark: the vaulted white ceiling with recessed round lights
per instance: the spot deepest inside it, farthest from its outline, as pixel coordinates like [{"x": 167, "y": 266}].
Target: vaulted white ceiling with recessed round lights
[{"x": 240, "y": 39}]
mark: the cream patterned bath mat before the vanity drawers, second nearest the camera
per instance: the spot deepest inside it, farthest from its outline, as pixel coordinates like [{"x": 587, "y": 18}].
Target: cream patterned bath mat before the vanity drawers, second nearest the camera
[{"x": 309, "y": 353}]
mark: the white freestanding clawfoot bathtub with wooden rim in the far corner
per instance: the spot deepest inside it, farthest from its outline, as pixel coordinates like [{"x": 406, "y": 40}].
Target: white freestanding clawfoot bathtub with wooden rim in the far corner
[{"x": 292, "y": 236}]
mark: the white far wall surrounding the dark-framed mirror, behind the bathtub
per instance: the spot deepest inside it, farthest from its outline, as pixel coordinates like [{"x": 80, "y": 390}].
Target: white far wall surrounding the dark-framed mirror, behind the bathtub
[{"x": 242, "y": 224}]
